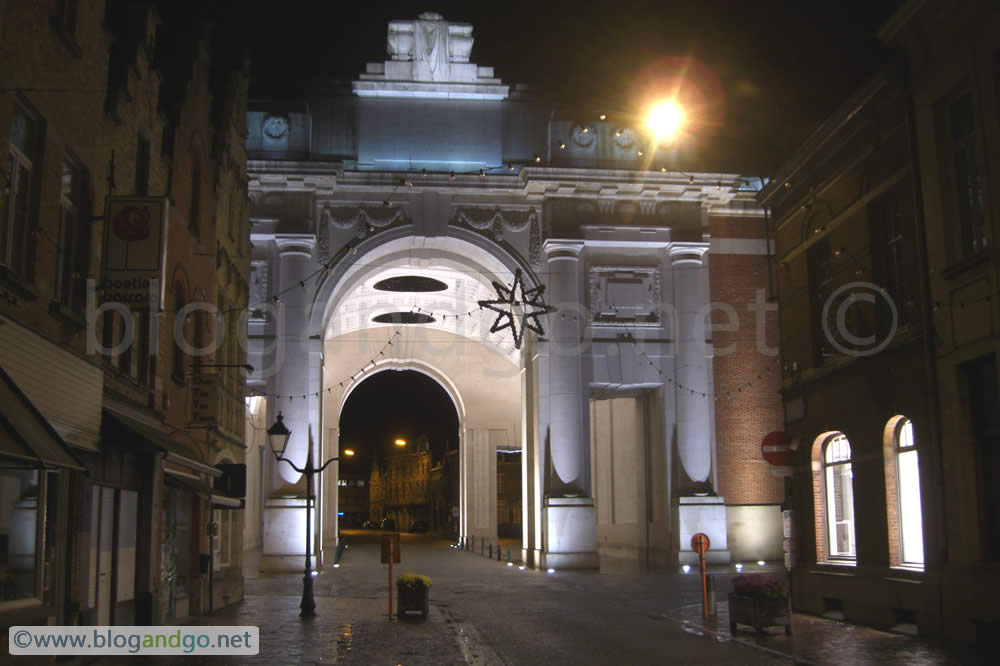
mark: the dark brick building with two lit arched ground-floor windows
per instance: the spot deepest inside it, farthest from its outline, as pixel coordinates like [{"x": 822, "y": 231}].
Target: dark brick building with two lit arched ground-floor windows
[{"x": 855, "y": 371}]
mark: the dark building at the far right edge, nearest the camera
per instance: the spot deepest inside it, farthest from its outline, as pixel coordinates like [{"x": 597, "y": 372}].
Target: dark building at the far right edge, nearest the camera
[{"x": 952, "y": 77}]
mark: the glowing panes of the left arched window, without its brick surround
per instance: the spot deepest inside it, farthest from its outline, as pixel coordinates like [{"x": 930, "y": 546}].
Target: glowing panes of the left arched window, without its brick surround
[{"x": 839, "y": 492}]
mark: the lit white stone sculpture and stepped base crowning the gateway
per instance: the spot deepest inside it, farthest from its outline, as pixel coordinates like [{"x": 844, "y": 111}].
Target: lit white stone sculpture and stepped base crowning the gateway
[{"x": 429, "y": 57}]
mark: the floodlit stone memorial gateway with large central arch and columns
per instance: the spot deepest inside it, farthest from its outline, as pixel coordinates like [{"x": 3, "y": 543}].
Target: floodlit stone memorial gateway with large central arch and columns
[{"x": 429, "y": 167}]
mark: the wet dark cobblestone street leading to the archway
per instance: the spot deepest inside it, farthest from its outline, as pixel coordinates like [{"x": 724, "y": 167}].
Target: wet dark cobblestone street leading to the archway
[{"x": 484, "y": 612}]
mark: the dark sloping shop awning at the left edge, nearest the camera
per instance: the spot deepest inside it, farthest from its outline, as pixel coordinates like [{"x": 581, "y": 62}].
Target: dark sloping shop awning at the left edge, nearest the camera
[{"x": 25, "y": 435}]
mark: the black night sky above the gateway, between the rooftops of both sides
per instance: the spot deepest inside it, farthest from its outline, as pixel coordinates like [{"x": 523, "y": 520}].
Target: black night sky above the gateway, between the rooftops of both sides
[{"x": 767, "y": 71}]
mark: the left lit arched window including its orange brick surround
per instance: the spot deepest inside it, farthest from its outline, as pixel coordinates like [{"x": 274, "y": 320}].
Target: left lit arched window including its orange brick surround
[{"x": 834, "y": 497}]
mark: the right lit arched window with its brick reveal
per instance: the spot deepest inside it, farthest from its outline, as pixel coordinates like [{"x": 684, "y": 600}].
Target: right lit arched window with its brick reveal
[{"x": 902, "y": 487}]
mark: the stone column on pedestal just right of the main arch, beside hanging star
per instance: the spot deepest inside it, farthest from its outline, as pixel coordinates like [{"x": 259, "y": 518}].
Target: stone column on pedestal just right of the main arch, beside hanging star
[{"x": 570, "y": 523}]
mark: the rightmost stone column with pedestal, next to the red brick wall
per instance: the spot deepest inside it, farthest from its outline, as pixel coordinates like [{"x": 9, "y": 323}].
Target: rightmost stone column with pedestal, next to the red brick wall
[{"x": 698, "y": 507}]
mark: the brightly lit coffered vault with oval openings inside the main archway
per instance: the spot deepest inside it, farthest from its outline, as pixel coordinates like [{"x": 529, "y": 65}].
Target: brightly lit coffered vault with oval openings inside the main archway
[{"x": 440, "y": 280}]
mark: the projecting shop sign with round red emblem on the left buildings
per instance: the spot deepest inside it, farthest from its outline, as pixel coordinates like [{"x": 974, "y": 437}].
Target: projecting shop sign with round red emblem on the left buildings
[{"x": 134, "y": 251}]
